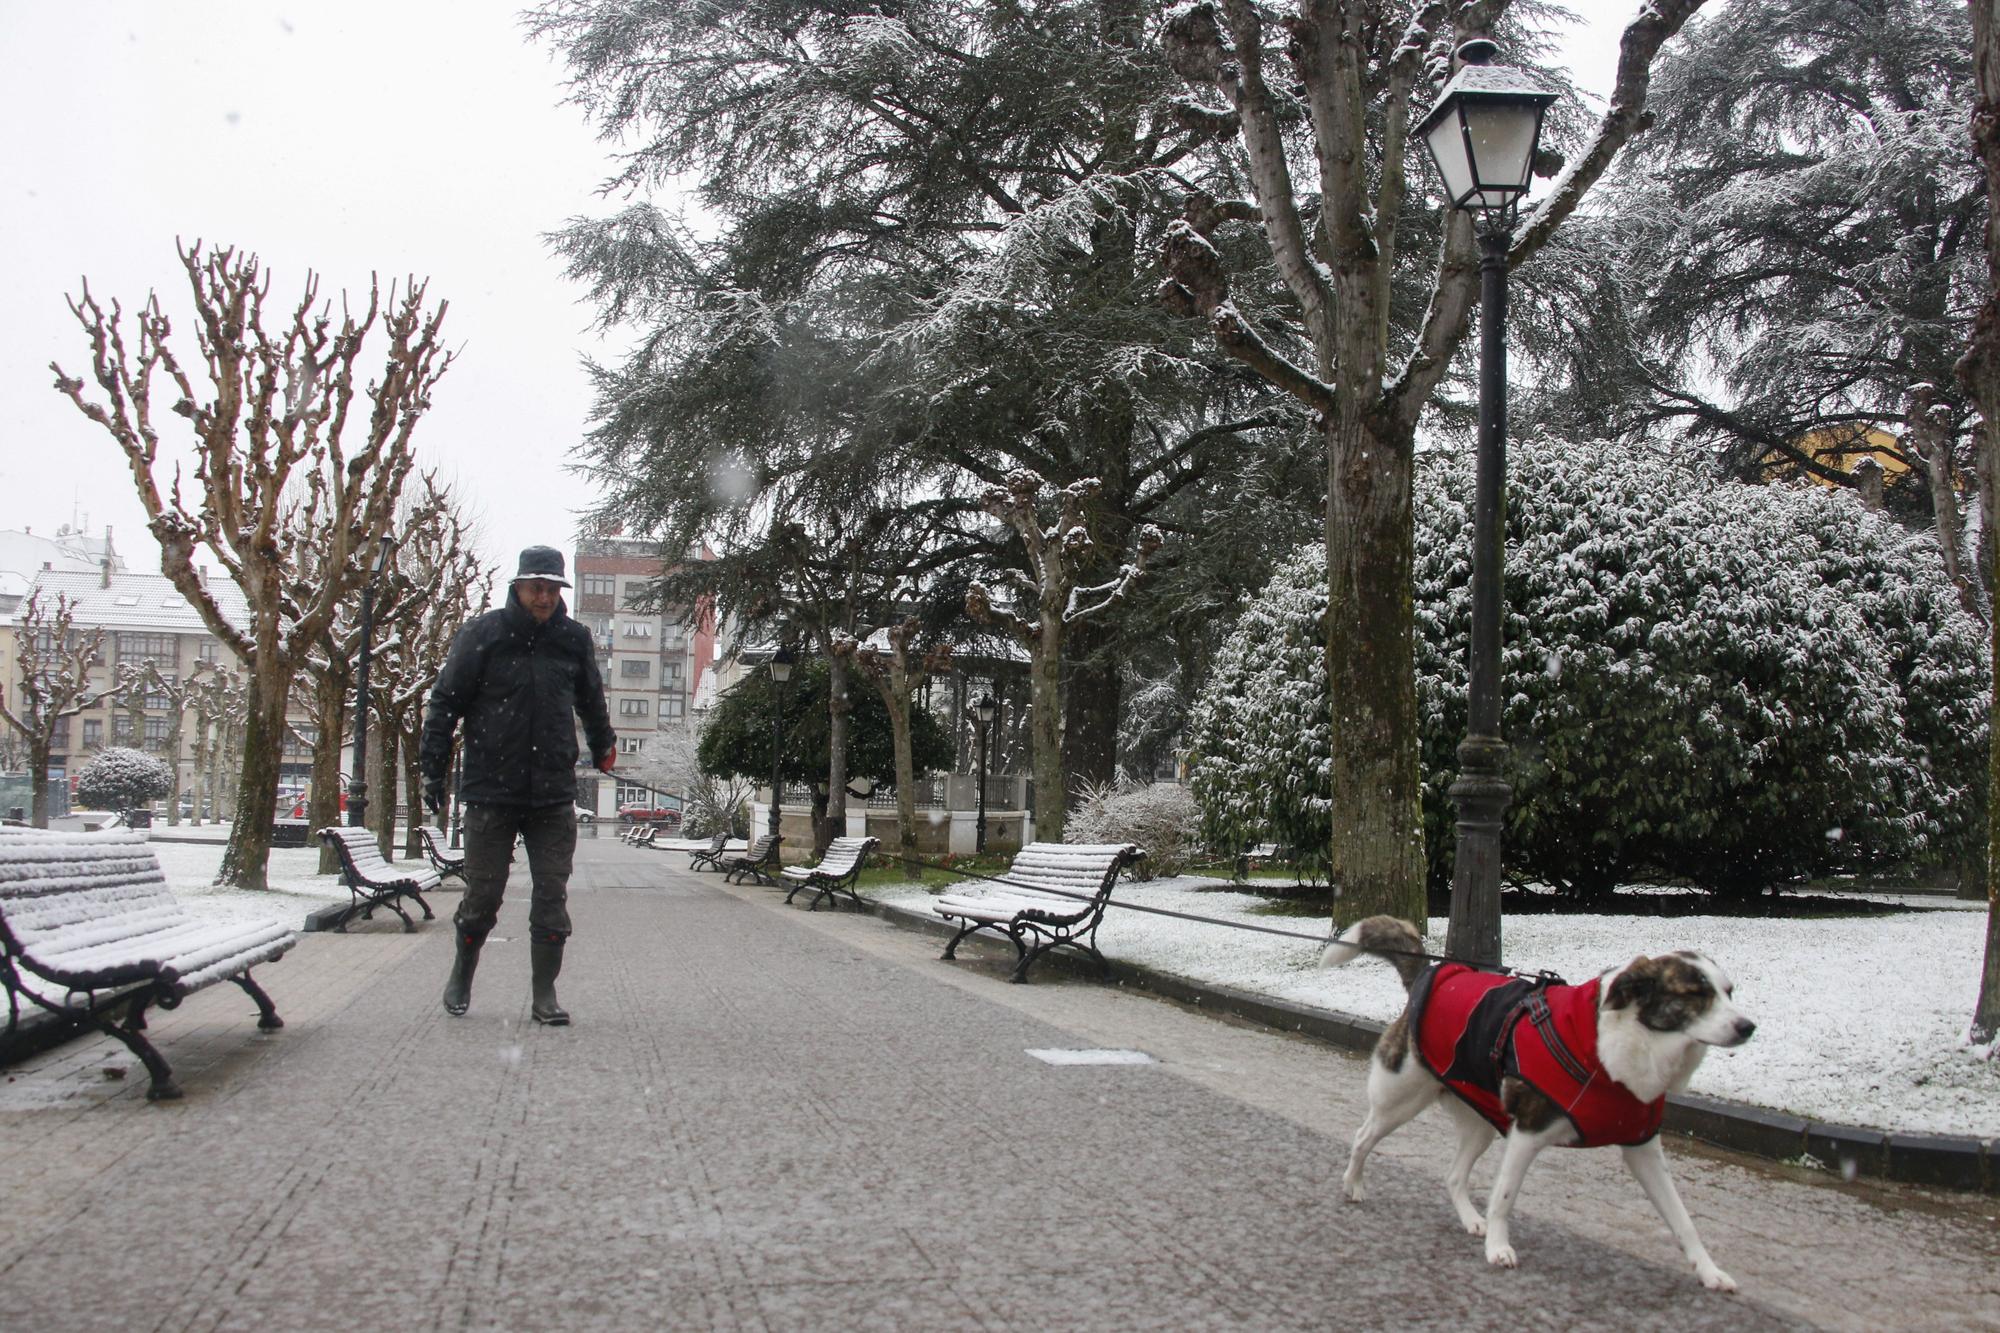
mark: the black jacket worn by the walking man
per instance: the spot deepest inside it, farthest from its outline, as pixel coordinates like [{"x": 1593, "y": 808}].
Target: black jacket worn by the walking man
[{"x": 517, "y": 688}]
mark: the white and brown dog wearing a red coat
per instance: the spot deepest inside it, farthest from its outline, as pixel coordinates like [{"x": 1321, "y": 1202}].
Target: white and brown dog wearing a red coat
[{"x": 1543, "y": 1064}]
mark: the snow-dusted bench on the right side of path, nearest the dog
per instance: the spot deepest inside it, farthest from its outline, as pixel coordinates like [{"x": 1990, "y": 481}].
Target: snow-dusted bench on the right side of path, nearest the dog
[{"x": 1053, "y": 896}]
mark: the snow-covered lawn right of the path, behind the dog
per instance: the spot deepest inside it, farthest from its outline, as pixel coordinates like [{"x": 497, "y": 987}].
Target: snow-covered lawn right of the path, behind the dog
[{"x": 1861, "y": 1022}]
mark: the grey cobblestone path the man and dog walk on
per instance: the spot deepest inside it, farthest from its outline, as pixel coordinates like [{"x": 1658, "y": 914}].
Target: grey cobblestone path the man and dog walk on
[{"x": 783, "y": 1120}]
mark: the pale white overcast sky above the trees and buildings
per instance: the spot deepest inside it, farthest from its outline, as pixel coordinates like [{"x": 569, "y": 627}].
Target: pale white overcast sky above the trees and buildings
[{"x": 393, "y": 137}]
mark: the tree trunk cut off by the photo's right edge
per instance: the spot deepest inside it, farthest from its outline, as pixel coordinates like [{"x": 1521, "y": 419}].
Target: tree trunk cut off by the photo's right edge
[{"x": 1981, "y": 375}]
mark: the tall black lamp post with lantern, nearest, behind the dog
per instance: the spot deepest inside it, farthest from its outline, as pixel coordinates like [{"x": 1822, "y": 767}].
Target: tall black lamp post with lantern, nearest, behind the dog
[{"x": 1483, "y": 137}]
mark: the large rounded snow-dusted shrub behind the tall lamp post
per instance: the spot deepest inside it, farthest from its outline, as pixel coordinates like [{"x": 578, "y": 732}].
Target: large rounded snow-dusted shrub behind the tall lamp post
[{"x": 1737, "y": 686}]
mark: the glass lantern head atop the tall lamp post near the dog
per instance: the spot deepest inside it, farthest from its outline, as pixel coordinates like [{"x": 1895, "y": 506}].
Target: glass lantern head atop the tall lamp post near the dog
[{"x": 1485, "y": 129}]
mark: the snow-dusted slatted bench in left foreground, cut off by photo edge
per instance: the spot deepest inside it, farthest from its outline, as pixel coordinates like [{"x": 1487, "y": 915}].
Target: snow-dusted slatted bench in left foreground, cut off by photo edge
[{"x": 93, "y": 936}]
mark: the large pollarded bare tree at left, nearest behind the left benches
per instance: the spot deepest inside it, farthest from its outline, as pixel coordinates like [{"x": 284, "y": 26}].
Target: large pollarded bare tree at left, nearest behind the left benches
[{"x": 275, "y": 471}]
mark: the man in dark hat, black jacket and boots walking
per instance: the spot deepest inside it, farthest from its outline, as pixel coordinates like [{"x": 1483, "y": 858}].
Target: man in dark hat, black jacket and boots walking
[{"x": 517, "y": 678}]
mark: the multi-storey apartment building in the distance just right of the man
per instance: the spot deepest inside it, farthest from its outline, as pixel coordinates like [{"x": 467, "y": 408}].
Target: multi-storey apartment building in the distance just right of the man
[{"x": 653, "y": 663}]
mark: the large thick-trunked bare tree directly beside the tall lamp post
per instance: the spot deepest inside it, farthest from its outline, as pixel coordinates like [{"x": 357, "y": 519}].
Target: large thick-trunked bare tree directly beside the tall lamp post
[{"x": 1329, "y": 93}]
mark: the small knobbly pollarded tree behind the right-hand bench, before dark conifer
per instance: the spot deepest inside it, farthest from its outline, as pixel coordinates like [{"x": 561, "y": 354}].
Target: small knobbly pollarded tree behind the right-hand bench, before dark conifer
[{"x": 1053, "y": 601}]
